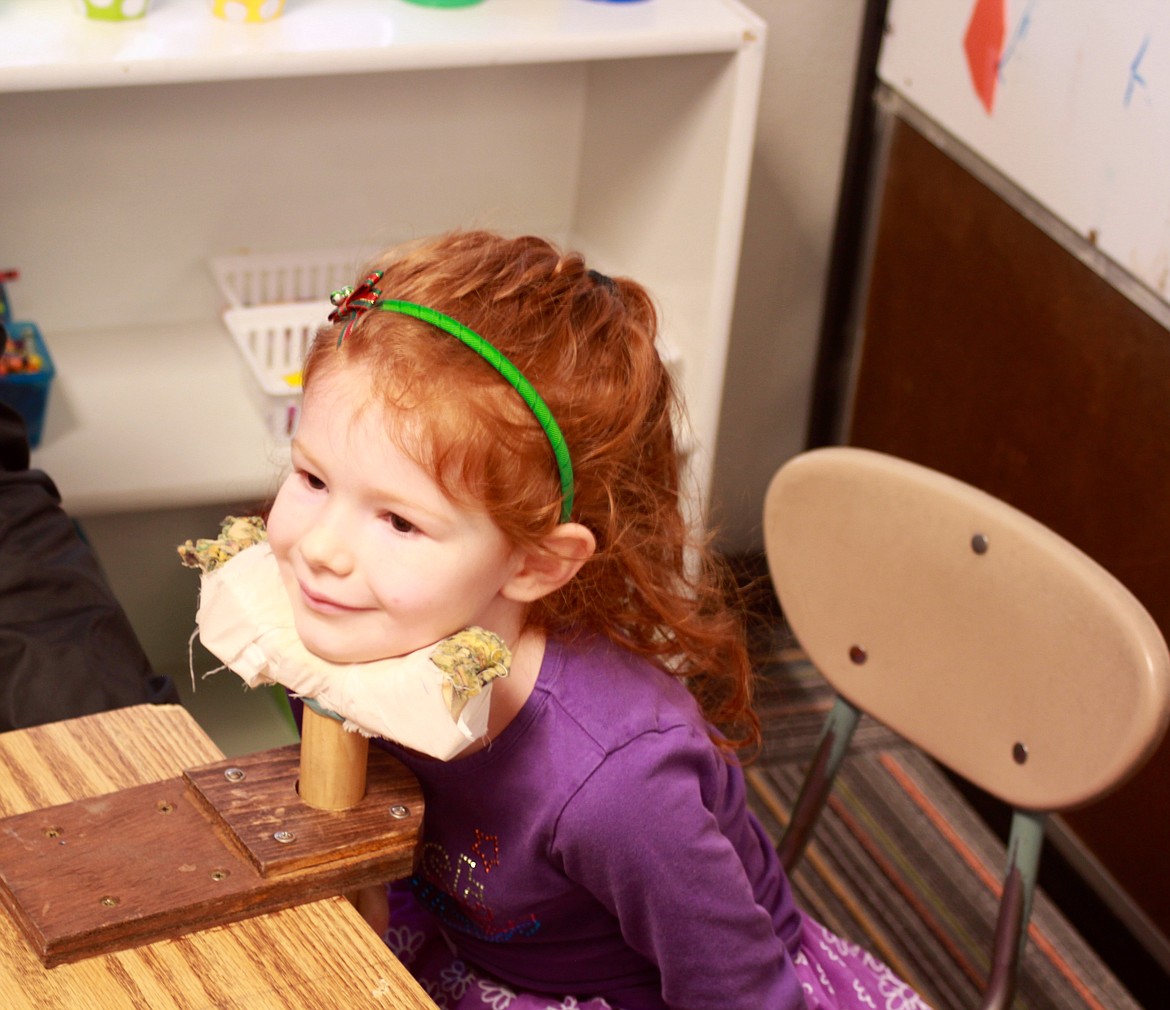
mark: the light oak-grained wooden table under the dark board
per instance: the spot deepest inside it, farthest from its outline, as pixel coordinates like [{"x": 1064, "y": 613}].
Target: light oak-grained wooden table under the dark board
[{"x": 316, "y": 956}]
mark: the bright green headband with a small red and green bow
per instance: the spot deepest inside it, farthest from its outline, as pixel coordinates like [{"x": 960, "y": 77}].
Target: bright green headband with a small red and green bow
[{"x": 352, "y": 304}]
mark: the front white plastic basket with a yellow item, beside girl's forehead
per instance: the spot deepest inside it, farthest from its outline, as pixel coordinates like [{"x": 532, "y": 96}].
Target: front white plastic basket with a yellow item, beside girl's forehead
[{"x": 273, "y": 341}]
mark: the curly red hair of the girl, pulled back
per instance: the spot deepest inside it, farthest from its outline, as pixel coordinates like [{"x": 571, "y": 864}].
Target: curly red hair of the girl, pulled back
[{"x": 589, "y": 345}]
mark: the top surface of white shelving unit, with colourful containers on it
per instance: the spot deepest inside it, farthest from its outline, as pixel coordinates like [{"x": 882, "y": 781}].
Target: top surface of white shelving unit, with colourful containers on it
[{"x": 47, "y": 46}]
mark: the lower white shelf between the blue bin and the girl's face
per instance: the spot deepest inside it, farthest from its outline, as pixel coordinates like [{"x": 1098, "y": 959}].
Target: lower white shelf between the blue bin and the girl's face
[{"x": 190, "y": 435}]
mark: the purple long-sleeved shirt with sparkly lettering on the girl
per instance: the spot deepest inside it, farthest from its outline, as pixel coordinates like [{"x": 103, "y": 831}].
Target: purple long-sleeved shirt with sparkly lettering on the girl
[{"x": 603, "y": 847}]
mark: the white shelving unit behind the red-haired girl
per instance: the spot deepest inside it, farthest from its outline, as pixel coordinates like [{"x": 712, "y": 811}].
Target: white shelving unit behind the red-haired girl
[{"x": 133, "y": 154}]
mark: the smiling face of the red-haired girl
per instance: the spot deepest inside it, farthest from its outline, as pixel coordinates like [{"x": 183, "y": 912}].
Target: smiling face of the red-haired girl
[{"x": 377, "y": 561}]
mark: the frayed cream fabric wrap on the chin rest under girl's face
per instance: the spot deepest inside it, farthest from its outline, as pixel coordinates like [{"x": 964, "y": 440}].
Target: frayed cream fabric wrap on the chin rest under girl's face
[{"x": 246, "y": 620}]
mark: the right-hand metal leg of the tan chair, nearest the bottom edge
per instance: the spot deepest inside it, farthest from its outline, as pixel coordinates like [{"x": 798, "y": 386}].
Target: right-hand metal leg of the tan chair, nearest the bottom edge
[{"x": 1024, "y": 848}]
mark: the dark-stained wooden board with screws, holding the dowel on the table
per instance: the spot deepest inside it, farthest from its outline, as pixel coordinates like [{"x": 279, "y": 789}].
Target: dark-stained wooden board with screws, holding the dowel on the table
[{"x": 223, "y": 843}]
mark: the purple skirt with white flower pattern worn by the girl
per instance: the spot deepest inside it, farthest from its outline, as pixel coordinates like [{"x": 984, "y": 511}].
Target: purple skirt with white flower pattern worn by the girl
[{"x": 836, "y": 975}]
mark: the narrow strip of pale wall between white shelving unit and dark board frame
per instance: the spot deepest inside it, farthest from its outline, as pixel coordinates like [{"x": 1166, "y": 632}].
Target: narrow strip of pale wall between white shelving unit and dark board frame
[{"x": 792, "y": 207}]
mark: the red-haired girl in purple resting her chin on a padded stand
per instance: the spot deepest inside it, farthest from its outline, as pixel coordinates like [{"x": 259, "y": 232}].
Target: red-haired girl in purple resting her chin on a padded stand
[{"x": 488, "y": 441}]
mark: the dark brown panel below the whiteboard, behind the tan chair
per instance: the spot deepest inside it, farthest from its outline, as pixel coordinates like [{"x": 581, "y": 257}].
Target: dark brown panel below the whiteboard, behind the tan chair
[{"x": 993, "y": 354}]
